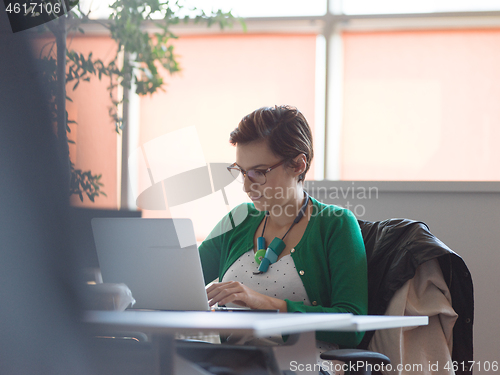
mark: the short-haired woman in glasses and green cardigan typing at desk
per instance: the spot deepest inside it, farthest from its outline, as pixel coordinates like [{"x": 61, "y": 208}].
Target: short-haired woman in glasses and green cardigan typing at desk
[{"x": 321, "y": 261}]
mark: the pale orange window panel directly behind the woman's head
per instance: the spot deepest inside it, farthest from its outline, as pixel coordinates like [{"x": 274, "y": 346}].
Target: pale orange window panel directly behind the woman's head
[{"x": 224, "y": 78}]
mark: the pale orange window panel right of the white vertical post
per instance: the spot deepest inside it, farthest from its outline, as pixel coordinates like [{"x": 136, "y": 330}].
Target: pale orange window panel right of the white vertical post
[{"x": 421, "y": 105}]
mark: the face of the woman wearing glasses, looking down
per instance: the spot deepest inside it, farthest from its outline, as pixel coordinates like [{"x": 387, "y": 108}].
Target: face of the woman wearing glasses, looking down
[{"x": 281, "y": 182}]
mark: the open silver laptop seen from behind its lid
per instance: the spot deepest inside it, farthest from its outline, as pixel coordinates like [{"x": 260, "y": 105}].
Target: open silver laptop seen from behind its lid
[{"x": 157, "y": 259}]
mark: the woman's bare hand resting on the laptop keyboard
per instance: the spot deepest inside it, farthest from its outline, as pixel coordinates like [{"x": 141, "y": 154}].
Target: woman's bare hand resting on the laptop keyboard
[{"x": 239, "y": 294}]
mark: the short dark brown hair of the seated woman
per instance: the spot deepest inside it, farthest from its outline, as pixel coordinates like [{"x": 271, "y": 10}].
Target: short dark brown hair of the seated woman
[{"x": 284, "y": 128}]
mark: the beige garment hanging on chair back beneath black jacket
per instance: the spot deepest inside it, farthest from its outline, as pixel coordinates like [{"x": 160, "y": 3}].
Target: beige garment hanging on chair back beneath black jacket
[{"x": 424, "y": 349}]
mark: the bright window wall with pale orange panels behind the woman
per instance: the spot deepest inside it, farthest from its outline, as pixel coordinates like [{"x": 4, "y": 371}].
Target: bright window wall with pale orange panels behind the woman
[{"x": 397, "y": 91}]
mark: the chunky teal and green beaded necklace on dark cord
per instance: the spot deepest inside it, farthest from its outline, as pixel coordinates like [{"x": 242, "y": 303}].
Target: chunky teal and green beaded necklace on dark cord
[{"x": 266, "y": 257}]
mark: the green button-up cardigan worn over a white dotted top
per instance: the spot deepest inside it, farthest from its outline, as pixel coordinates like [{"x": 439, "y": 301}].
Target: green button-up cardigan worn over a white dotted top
[{"x": 331, "y": 253}]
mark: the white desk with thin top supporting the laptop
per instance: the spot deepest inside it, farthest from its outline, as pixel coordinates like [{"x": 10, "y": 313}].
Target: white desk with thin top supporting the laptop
[{"x": 163, "y": 326}]
